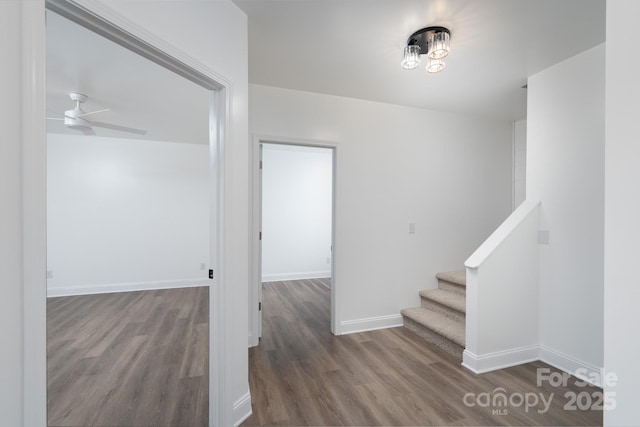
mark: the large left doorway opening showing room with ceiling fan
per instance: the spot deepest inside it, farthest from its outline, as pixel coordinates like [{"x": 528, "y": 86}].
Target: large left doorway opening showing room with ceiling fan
[{"x": 127, "y": 236}]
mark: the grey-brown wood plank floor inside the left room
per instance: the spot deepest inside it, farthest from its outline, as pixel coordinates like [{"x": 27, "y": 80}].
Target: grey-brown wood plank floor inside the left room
[{"x": 129, "y": 359}]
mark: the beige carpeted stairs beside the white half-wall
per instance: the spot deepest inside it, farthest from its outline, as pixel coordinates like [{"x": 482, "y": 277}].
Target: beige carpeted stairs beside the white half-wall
[{"x": 440, "y": 319}]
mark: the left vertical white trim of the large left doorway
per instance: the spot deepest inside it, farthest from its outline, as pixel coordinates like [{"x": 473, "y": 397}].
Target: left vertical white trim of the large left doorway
[{"x": 34, "y": 219}]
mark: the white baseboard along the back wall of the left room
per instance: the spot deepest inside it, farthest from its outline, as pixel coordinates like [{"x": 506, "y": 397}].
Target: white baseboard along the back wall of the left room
[{"x": 124, "y": 287}]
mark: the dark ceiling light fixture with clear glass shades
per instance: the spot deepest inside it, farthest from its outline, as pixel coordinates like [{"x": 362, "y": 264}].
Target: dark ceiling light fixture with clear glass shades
[{"x": 430, "y": 41}]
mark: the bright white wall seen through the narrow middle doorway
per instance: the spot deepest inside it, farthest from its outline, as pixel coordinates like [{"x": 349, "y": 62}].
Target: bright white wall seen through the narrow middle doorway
[{"x": 296, "y": 212}]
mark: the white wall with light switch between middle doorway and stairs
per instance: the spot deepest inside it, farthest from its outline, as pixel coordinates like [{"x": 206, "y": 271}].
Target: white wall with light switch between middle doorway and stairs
[{"x": 448, "y": 174}]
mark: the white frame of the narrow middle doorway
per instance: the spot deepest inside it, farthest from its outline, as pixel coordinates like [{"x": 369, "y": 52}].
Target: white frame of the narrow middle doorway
[{"x": 255, "y": 290}]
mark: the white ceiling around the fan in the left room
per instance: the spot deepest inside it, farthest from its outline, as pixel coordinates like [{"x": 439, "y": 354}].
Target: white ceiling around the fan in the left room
[{"x": 139, "y": 93}]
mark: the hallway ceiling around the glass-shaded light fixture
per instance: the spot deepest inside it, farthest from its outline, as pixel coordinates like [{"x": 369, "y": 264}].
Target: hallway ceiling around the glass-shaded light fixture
[{"x": 353, "y": 48}]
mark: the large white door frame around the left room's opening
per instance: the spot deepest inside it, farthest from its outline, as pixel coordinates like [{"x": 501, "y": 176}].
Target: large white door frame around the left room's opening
[{"x": 104, "y": 21}]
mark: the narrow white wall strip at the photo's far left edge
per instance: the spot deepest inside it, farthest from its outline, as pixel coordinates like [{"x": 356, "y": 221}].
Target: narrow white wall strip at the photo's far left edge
[{"x": 11, "y": 244}]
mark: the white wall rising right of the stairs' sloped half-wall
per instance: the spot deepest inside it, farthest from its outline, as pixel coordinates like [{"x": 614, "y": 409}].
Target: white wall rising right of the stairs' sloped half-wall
[{"x": 565, "y": 171}]
